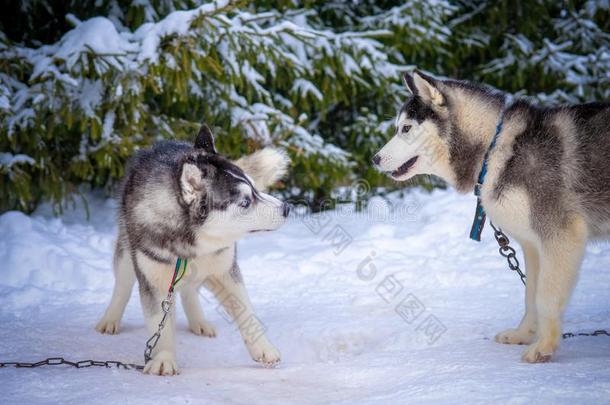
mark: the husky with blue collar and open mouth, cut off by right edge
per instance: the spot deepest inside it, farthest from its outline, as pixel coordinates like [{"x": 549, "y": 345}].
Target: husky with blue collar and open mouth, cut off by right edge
[{"x": 544, "y": 177}]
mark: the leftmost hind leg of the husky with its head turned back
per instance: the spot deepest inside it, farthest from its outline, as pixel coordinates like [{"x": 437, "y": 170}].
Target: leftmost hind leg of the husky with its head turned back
[{"x": 124, "y": 278}]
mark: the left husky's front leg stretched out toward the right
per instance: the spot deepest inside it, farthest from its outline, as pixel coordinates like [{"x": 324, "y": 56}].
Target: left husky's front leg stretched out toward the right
[{"x": 229, "y": 289}]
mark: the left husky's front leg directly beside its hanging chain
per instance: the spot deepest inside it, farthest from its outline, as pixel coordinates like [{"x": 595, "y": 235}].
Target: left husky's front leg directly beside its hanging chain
[{"x": 153, "y": 278}]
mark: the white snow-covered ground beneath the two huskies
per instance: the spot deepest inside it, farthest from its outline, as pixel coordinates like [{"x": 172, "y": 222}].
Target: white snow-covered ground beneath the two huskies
[{"x": 329, "y": 289}]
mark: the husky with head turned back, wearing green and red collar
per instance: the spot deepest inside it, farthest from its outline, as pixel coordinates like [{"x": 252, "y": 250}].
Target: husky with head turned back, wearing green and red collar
[{"x": 180, "y": 200}]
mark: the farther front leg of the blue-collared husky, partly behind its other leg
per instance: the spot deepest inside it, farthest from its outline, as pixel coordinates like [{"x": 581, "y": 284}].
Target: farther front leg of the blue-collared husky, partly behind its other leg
[{"x": 525, "y": 333}]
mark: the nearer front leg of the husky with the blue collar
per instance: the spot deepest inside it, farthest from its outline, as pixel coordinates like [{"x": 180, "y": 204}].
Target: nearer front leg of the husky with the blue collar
[{"x": 561, "y": 256}]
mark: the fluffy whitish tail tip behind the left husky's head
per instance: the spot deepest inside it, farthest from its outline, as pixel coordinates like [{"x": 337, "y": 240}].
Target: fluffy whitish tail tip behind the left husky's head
[{"x": 265, "y": 166}]
